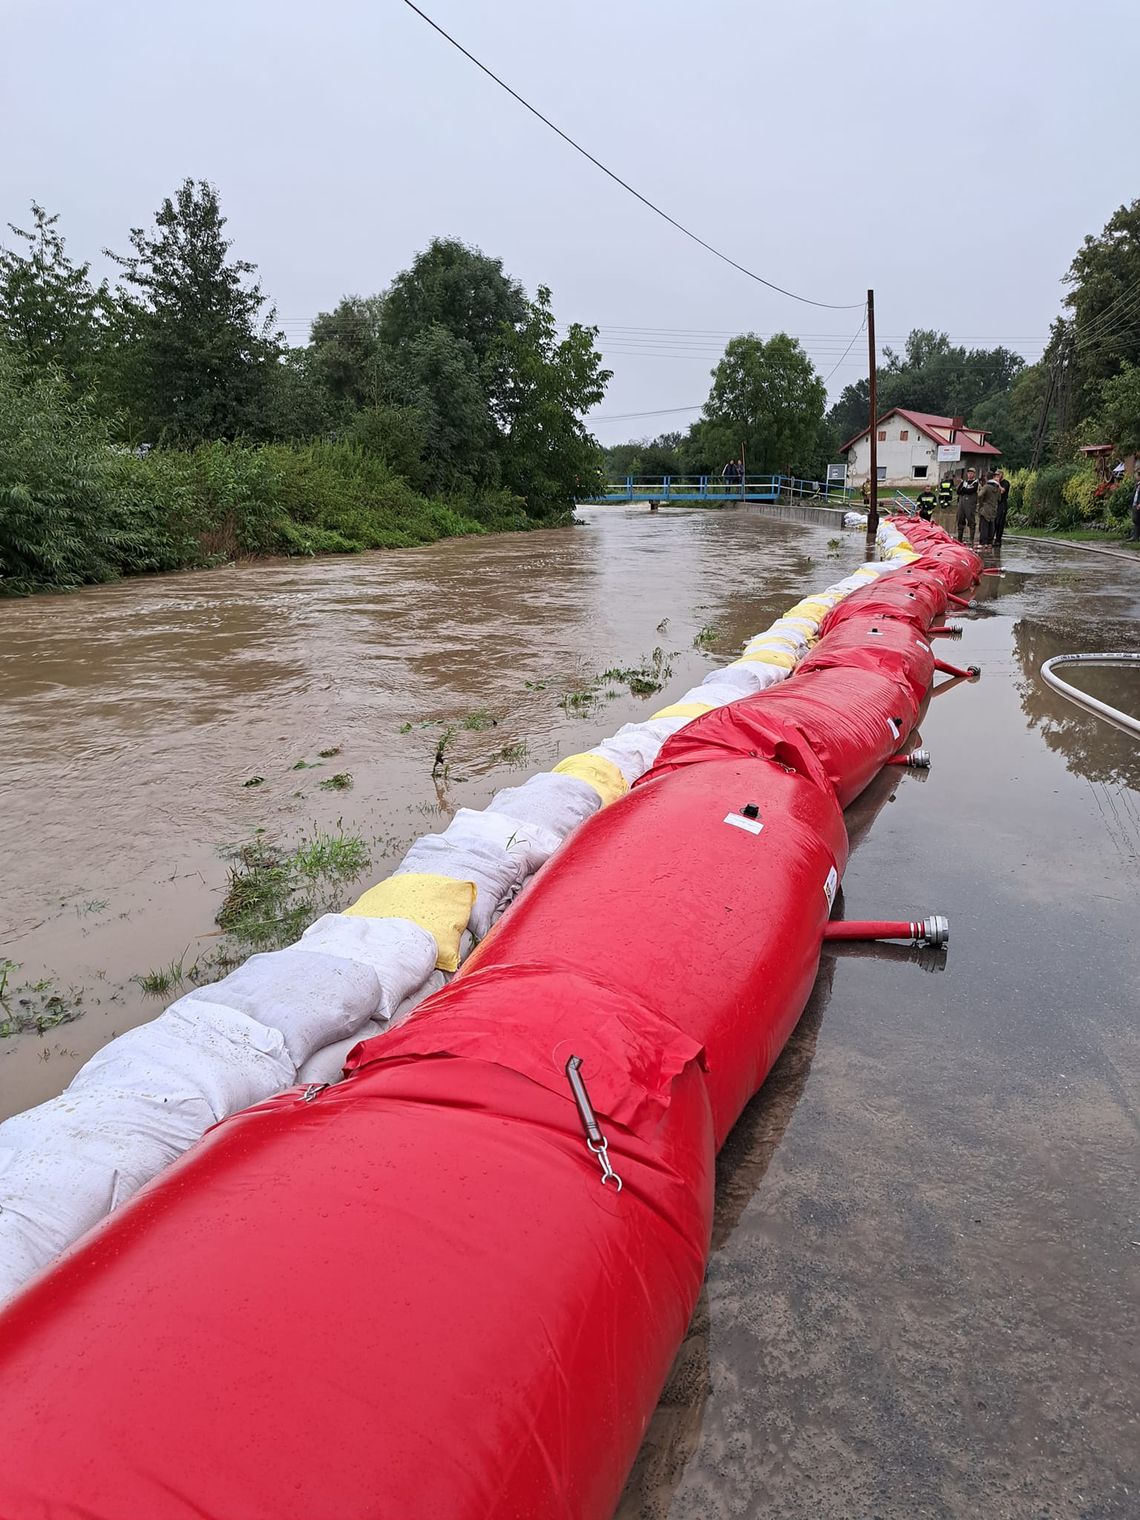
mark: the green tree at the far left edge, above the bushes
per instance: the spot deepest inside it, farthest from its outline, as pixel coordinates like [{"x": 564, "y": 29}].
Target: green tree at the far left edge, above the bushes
[{"x": 49, "y": 311}]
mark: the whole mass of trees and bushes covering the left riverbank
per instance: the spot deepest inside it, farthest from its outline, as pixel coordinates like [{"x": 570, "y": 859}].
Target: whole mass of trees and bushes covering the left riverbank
[{"x": 163, "y": 422}]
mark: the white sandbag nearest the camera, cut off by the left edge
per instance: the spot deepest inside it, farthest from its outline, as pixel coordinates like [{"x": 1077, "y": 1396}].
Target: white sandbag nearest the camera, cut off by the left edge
[{"x": 48, "y": 1200}]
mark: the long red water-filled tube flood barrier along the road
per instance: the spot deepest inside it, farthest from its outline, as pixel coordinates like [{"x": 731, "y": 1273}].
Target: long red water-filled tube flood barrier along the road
[{"x": 413, "y": 1296}]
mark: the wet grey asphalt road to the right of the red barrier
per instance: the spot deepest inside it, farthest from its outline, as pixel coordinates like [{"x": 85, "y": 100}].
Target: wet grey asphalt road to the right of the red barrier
[{"x": 925, "y": 1290}]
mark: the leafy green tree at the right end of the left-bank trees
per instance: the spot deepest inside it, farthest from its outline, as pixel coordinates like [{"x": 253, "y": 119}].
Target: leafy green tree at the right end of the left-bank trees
[{"x": 540, "y": 391}]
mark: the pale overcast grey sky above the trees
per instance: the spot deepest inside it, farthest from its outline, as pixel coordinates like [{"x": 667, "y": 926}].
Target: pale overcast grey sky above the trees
[{"x": 952, "y": 157}]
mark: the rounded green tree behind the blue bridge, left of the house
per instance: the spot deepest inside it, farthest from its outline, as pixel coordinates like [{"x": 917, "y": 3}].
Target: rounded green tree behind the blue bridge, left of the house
[{"x": 768, "y": 397}]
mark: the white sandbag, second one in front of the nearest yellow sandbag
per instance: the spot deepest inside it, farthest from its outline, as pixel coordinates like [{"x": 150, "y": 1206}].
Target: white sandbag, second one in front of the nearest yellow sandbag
[{"x": 306, "y": 993}]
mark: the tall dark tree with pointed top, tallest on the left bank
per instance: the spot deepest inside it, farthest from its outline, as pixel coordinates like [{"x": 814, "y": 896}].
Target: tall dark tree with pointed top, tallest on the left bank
[{"x": 198, "y": 349}]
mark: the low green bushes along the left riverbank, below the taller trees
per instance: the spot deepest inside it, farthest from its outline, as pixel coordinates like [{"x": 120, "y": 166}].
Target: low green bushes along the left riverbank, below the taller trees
[{"x": 75, "y": 508}]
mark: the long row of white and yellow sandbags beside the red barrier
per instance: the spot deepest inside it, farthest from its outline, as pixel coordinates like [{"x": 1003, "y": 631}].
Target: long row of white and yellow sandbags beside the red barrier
[{"x": 296, "y": 1015}]
